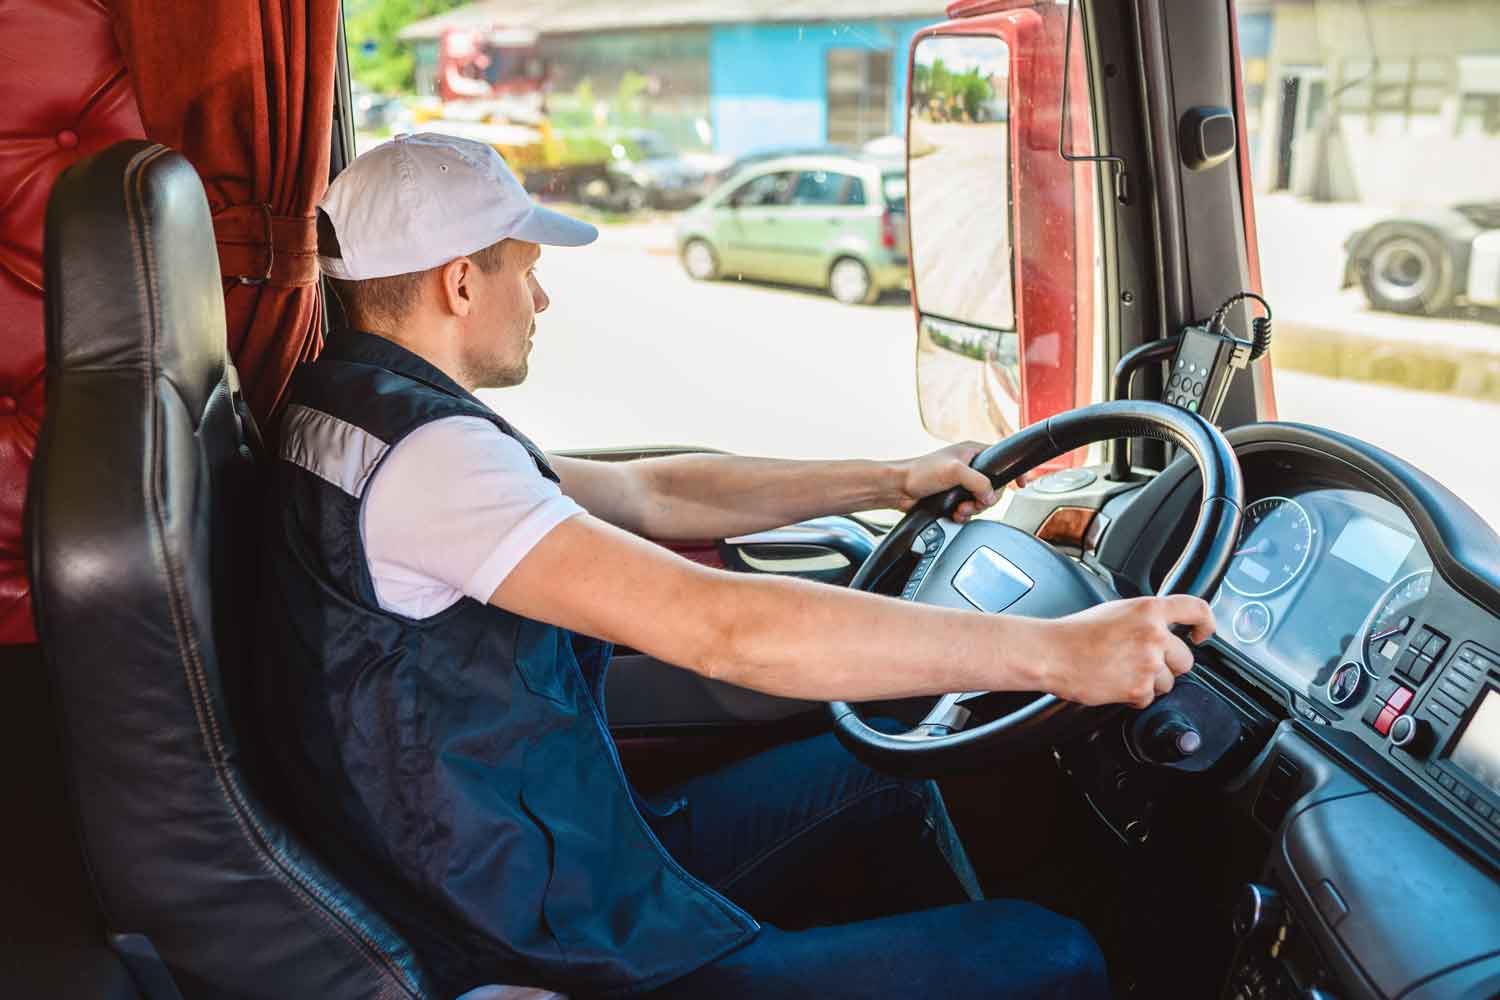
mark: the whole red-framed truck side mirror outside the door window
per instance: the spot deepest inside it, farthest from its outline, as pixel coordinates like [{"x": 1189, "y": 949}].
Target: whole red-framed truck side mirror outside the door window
[{"x": 1001, "y": 226}]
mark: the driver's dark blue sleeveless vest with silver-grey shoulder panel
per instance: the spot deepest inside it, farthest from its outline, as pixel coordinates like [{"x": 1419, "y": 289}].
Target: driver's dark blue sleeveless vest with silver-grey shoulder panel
[{"x": 458, "y": 770}]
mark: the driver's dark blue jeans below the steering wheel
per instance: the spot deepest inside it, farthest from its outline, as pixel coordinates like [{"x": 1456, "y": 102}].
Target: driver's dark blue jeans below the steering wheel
[{"x": 787, "y": 833}]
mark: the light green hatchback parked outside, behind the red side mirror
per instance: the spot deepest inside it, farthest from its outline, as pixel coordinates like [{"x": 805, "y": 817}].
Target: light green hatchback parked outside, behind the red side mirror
[{"x": 836, "y": 223}]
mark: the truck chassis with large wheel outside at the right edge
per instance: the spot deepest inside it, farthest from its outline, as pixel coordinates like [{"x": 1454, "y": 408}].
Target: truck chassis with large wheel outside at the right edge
[{"x": 1429, "y": 262}]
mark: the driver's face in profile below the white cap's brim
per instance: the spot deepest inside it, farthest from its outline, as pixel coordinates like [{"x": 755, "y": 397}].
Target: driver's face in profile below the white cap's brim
[{"x": 505, "y": 319}]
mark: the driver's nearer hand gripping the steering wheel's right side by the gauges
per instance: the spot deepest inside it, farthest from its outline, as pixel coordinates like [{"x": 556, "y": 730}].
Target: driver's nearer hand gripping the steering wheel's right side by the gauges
[{"x": 1123, "y": 651}]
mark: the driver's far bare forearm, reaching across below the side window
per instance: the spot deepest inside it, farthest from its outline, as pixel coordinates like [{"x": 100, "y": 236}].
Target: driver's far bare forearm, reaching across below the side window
[{"x": 721, "y": 496}]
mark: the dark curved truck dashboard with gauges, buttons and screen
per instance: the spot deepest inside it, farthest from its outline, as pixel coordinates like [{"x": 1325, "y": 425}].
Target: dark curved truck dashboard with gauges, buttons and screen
[{"x": 1360, "y": 623}]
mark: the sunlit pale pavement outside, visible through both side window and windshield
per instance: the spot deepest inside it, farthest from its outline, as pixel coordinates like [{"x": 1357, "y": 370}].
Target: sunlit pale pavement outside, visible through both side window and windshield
[{"x": 635, "y": 353}]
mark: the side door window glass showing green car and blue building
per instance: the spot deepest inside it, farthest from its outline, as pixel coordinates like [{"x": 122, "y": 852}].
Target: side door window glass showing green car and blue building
[{"x": 770, "y": 325}]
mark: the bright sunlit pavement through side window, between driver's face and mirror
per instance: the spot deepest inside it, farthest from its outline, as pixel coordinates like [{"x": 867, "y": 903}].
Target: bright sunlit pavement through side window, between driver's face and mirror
[{"x": 634, "y": 352}]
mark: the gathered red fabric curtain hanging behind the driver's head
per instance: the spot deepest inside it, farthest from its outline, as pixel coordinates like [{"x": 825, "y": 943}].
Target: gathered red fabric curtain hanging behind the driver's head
[{"x": 245, "y": 91}]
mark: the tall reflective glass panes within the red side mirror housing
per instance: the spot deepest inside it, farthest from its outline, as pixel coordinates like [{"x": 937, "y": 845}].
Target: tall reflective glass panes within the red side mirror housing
[{"x": 968, "y": 353}]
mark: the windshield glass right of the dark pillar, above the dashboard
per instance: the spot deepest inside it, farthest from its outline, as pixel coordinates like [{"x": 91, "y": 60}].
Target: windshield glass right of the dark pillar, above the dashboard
[{"x": 1375, "y": 133}]
